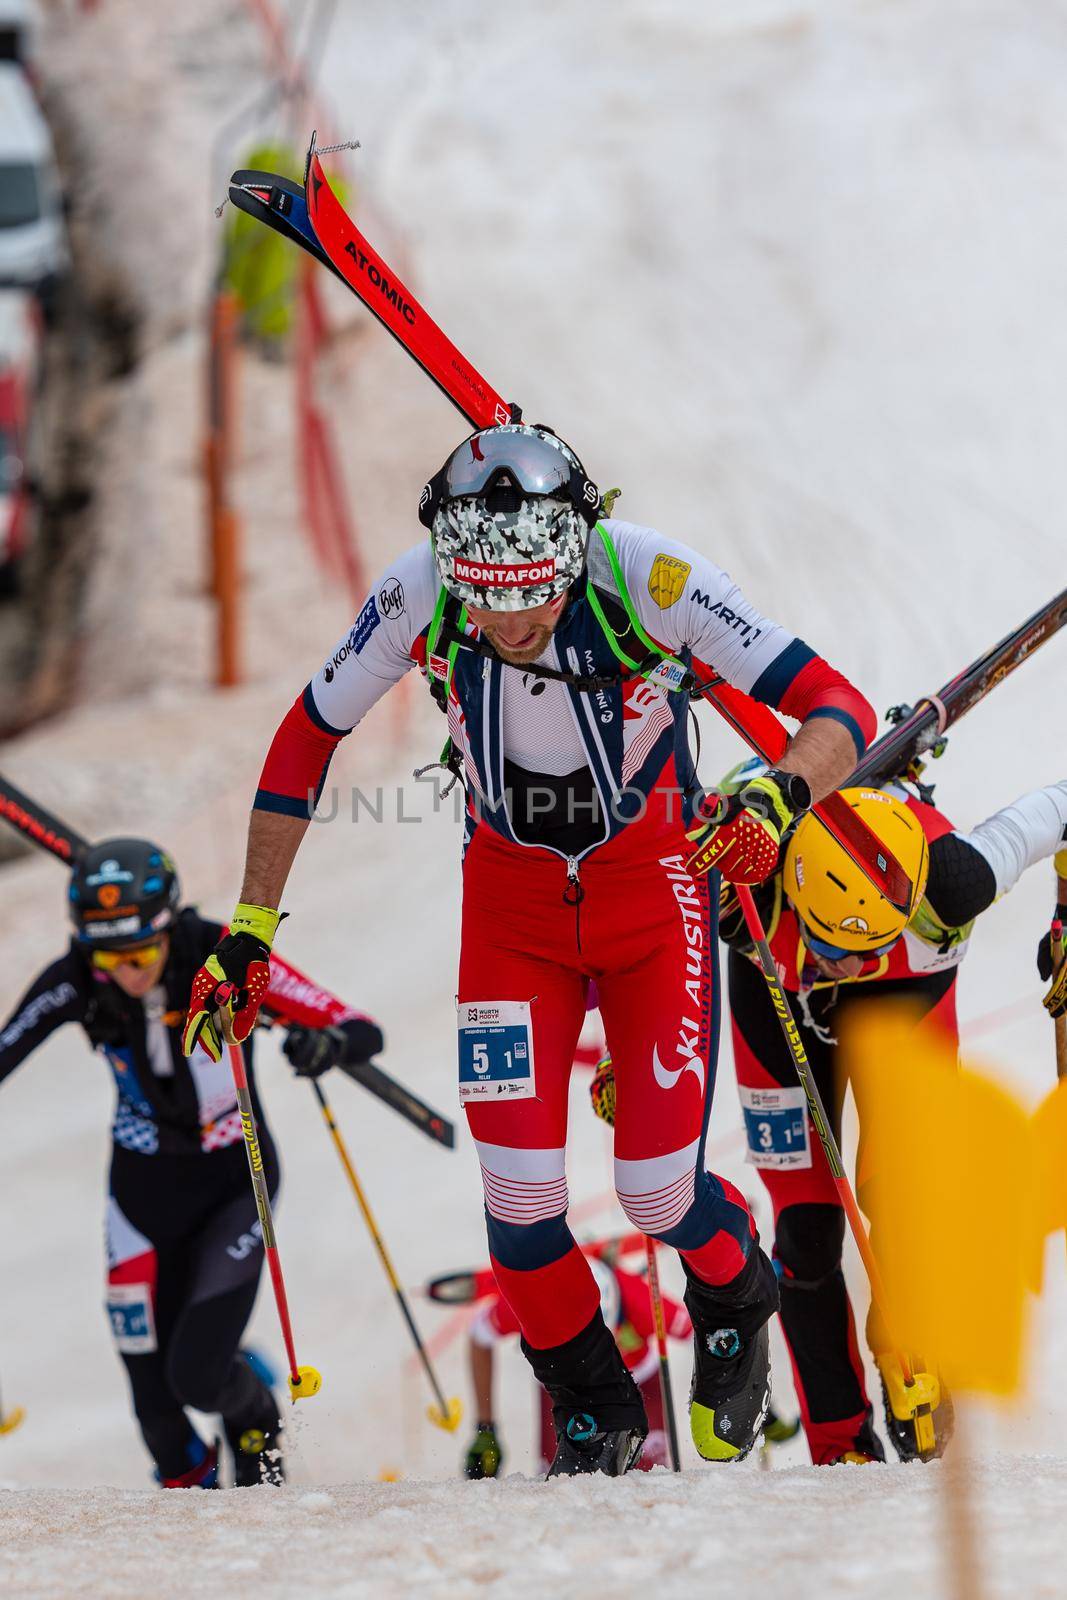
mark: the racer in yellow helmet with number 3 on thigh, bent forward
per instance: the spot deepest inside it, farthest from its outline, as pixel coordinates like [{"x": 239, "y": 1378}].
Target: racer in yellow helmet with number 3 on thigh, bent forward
[{"x": 839, "y": 945}]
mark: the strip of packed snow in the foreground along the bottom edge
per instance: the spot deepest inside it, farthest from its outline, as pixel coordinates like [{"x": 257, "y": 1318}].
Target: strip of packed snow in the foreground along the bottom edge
[{"x": 858, "y": 1532}]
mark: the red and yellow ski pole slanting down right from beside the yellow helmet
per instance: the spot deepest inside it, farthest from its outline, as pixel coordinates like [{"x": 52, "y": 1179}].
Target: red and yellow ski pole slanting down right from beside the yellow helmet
[{"x": 919, "y": 1382}]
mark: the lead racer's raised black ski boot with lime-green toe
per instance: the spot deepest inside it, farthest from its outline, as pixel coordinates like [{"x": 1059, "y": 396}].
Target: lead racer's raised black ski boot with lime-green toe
[{"x": 732, "y": 1369}]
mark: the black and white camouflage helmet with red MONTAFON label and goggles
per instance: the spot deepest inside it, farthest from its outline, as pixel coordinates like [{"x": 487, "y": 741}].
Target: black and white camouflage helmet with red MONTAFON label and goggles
[{"x": 510, "y": 516}]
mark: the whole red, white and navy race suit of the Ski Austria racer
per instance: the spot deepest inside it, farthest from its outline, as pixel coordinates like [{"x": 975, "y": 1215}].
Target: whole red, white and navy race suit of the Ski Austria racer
[{"x": 554, "y": 900}]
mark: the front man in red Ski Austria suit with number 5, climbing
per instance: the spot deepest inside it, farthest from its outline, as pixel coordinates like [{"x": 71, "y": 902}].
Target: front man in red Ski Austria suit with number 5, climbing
[{"x": 561, "y": 647}]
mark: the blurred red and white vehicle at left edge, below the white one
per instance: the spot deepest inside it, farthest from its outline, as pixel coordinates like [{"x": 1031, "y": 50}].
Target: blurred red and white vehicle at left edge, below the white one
[{"x": 20, "y": 372}]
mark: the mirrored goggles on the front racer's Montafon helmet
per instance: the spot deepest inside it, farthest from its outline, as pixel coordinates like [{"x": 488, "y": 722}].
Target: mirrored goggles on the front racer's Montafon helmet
[{"x": 514, "y": 458}]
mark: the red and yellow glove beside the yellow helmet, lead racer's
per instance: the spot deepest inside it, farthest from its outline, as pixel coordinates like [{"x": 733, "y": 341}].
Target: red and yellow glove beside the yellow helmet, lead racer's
[{"x": 741, "y": 834}]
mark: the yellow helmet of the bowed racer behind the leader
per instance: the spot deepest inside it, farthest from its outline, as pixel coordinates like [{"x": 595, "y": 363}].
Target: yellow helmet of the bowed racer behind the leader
[{"x": 833, "y": 897}]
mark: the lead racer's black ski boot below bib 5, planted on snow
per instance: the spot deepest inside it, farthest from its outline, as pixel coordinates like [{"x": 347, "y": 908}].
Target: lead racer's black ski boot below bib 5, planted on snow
[{"x": 597, "y": 1409}]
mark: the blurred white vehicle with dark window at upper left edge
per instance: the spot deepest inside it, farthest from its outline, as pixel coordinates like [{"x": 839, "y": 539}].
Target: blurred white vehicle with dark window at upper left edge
[{"x": 34, "y": 250}]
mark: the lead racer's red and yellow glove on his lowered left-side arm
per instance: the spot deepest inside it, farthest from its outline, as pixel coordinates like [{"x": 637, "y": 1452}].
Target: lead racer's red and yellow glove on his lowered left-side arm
[{"x": 230, "y": 988}]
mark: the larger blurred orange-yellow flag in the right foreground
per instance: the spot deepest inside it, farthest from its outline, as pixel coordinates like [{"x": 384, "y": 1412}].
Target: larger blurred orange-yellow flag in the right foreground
[{"x": 946, "y": 1180}]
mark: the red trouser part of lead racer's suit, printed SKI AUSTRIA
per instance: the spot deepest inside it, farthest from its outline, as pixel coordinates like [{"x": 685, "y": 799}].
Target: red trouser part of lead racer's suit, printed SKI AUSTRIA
[{"x": 644, "y": 932}]
